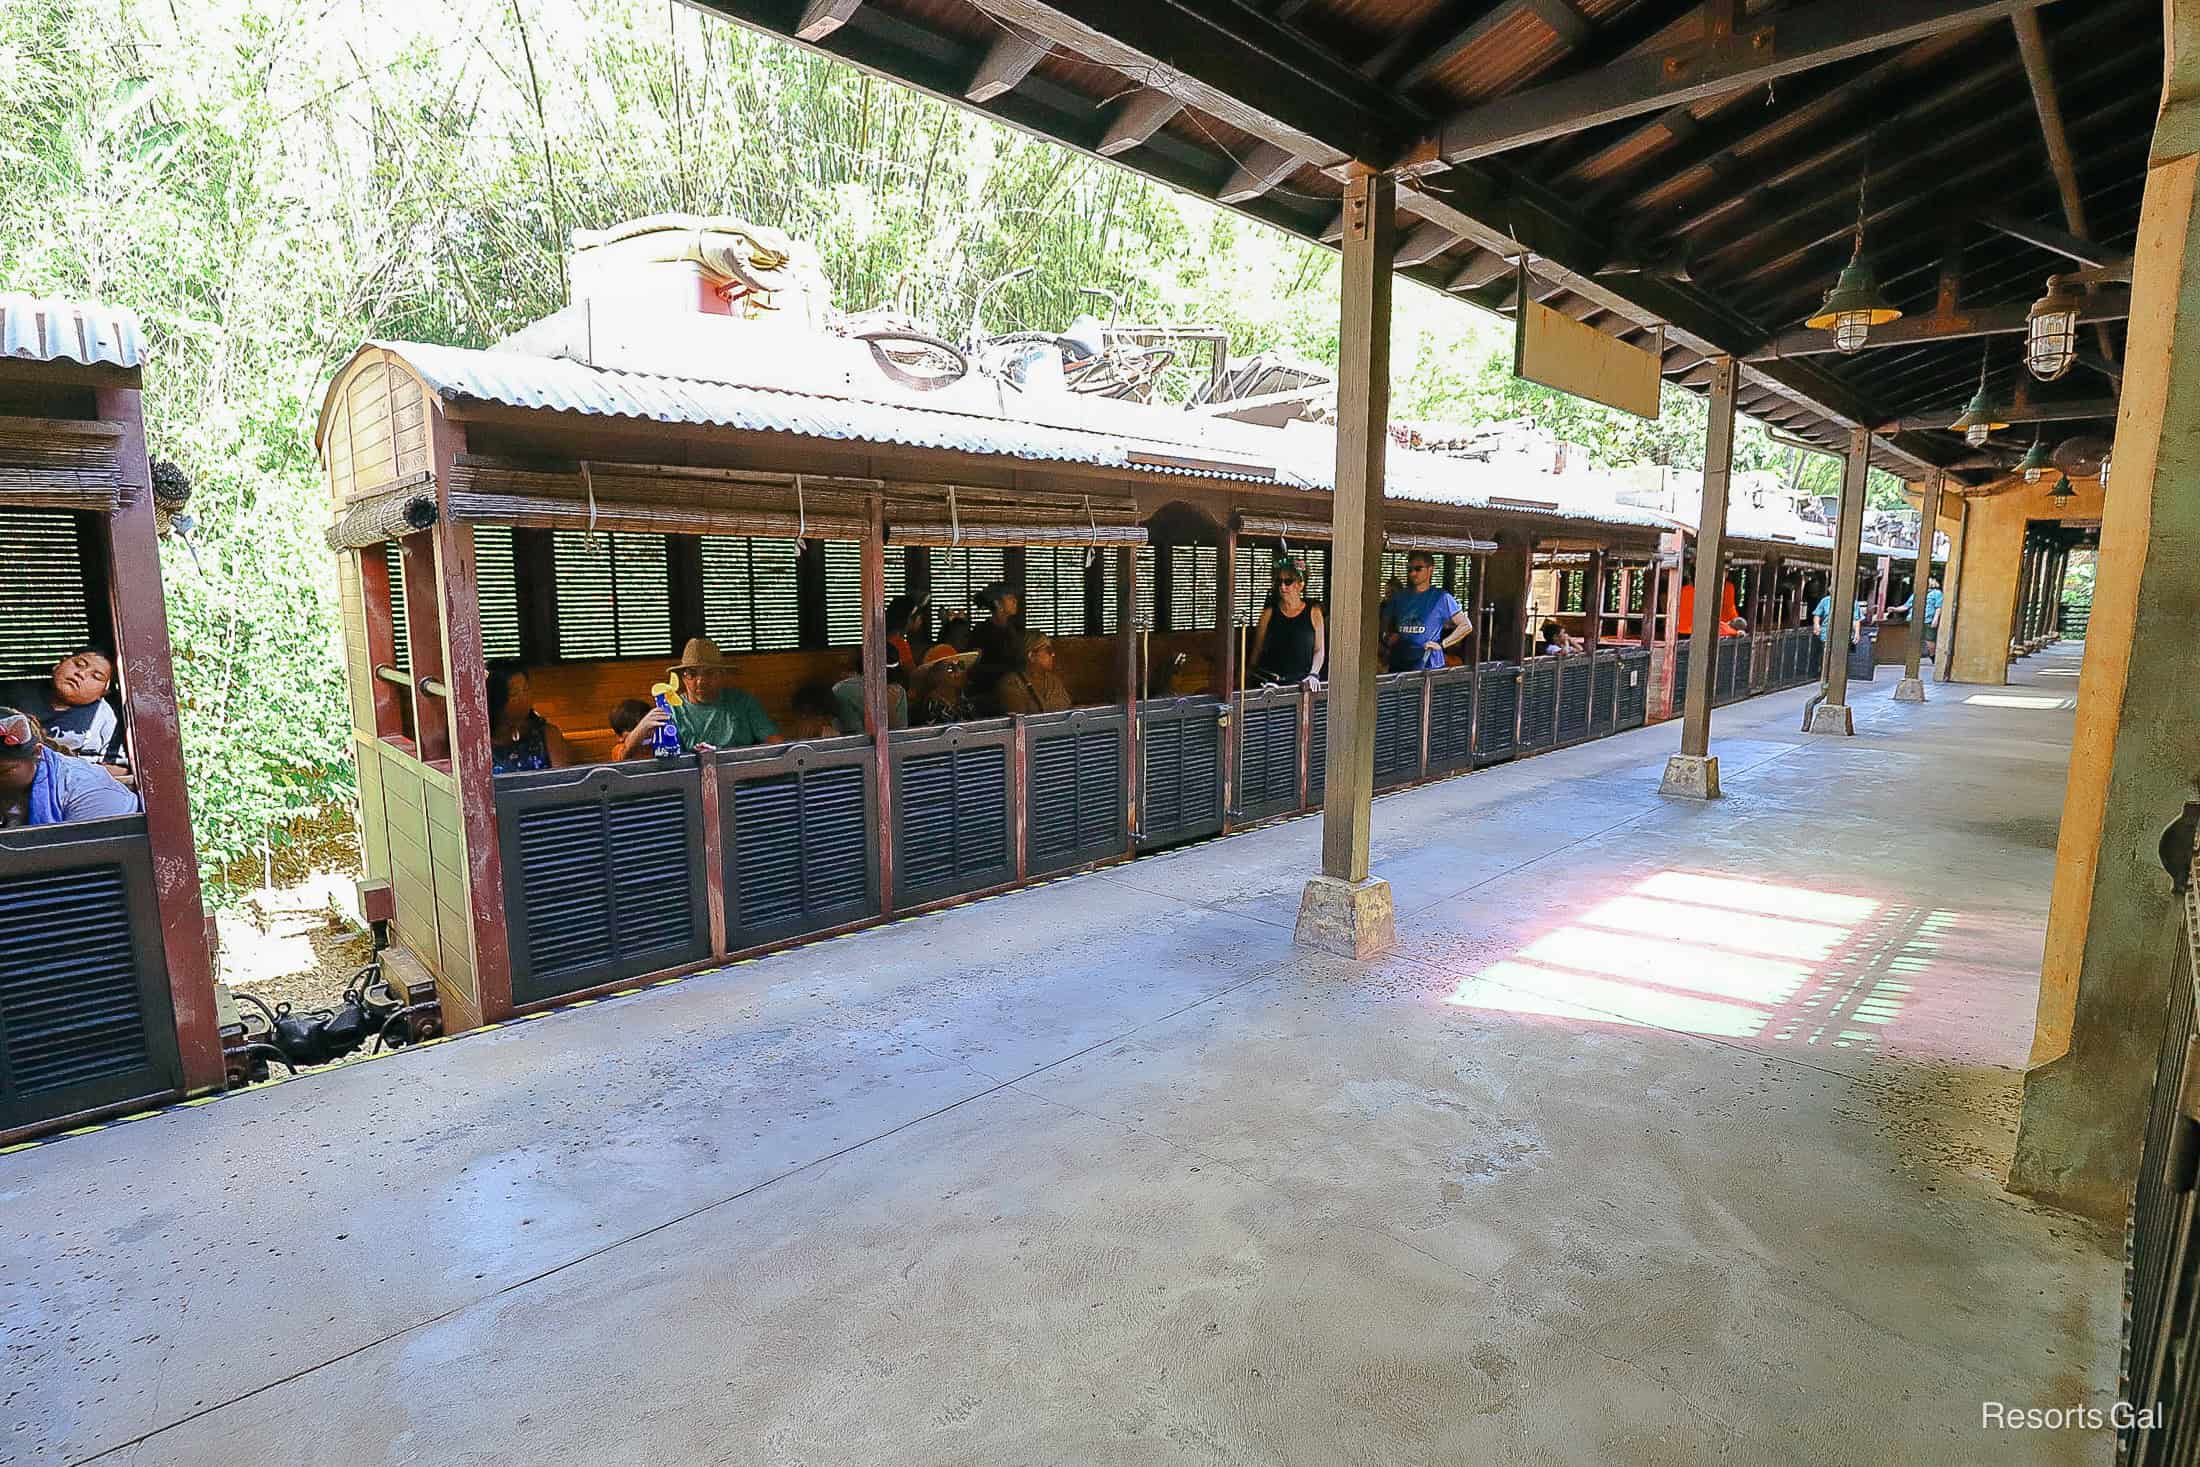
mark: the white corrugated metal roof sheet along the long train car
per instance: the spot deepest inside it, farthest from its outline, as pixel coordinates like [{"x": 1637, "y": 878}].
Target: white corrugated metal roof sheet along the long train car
[{"x": 1301, "y": 459}]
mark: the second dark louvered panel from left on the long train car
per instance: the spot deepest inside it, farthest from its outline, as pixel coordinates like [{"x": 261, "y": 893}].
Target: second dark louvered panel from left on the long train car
[{"x": 800, "y": 852}]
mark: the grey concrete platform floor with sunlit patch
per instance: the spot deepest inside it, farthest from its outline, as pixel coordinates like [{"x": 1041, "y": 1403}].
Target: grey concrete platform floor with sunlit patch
[{"x": 1673, "y": 1134}]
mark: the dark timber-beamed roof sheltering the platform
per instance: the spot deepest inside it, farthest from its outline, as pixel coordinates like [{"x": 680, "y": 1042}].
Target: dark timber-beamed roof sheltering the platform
[{"x": 1682, "y": 210}]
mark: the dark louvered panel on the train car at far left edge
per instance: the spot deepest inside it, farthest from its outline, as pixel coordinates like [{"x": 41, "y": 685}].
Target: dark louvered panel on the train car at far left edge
[{"x": 71, "y": 1008}]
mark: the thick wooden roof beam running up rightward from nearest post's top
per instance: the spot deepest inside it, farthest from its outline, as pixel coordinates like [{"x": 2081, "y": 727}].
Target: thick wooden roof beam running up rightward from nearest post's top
[{"x": 1752, "y": 54}]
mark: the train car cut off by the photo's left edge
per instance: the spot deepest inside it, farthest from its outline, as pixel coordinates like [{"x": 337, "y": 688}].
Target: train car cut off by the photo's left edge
[{"x": 107, "y": 991}]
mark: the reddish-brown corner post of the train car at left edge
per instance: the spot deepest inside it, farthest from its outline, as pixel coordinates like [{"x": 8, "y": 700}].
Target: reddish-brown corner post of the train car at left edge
[{"x": 146, "y": 665}]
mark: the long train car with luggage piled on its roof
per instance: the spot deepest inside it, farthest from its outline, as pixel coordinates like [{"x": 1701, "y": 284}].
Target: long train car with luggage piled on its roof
[{"x": 639, "y": 485}]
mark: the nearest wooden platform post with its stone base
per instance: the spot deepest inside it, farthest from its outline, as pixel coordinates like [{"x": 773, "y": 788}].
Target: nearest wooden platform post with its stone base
[{"x": 1343, "y": 909}]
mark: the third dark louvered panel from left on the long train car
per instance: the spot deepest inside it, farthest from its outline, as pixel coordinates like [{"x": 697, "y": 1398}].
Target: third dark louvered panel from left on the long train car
[{"x": 951, "y": 828}]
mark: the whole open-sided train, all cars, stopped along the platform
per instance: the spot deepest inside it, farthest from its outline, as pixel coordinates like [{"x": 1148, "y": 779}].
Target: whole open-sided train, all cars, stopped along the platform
[{"x": 562, "y": 509}]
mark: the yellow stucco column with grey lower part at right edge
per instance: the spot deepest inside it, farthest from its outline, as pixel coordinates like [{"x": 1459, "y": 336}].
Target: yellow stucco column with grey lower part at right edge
[{"x": 2135, "y": 755}]
